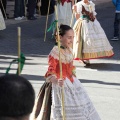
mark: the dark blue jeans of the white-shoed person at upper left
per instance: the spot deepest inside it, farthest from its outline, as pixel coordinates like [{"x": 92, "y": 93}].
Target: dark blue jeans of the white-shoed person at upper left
[{"x": 19, "y": 8}]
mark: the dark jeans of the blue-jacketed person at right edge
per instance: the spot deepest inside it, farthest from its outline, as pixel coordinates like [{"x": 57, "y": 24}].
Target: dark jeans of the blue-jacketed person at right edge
[{"x": 116, "y": 25}]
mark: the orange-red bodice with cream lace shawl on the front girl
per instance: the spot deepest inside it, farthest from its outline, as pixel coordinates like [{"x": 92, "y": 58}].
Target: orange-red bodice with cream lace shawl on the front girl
[{"x": 67, "y": 64}]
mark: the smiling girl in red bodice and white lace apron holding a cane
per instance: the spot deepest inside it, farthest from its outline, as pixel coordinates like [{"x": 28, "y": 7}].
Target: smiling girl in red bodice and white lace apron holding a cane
[{"x": 78, "y": 106}]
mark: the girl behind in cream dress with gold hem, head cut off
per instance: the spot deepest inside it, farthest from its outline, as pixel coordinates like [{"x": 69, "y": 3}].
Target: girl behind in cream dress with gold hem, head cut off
[{"x": 90, "y": 41}]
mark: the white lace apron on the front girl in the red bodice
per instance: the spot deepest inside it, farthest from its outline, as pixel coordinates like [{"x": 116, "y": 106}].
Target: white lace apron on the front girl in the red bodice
[{"x": 77, "y": 103}]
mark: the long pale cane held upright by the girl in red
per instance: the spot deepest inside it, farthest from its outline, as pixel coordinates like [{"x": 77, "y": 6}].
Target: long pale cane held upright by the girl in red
[{"x": 60, "y": 64}]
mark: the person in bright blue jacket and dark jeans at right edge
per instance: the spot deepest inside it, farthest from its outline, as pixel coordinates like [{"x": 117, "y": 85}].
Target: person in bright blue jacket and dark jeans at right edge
[{"x": 117, "y": 20}]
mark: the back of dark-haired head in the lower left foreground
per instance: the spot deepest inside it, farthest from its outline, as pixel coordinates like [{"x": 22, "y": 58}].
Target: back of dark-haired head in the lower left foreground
[{"x": 17, "y": 98}]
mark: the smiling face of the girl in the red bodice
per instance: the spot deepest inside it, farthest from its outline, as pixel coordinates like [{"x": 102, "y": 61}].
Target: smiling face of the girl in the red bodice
[{"x": 67, "y": 39}]
